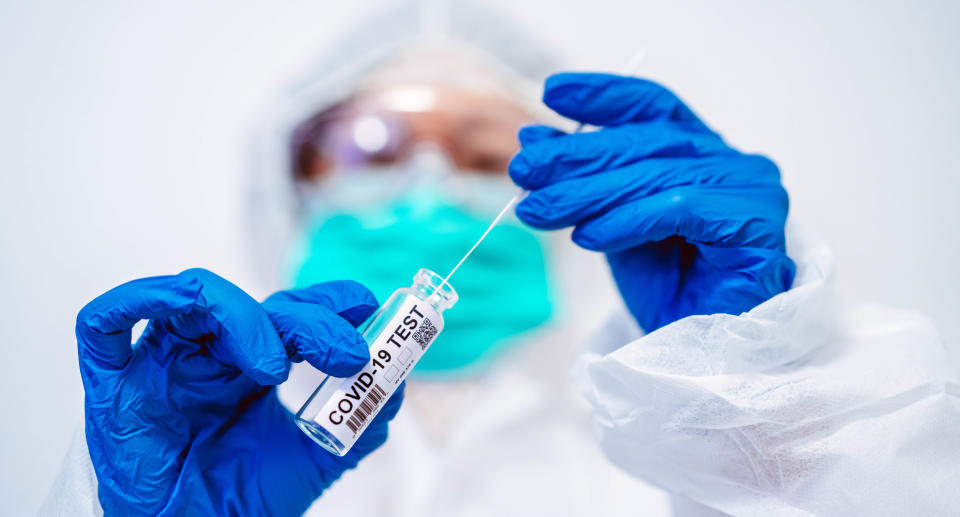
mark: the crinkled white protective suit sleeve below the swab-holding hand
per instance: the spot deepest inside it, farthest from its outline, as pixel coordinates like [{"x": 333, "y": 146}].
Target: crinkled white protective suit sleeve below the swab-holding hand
[{"x": 794, "y": 408}]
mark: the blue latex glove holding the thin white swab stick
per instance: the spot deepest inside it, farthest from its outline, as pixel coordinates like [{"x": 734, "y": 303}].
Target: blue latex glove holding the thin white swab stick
[{"x": 689, "y": 224}]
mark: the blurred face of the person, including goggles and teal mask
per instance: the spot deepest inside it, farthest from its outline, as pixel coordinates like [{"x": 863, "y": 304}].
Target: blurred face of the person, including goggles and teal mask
[{"x": 385, "y": 208}]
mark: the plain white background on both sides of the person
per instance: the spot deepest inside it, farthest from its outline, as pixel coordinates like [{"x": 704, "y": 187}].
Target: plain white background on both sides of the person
[{"x": 122, "y": 130}]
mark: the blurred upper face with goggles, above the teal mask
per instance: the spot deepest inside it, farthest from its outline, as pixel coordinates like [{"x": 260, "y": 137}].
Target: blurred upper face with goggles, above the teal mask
[{"x": 383, "y": 126}]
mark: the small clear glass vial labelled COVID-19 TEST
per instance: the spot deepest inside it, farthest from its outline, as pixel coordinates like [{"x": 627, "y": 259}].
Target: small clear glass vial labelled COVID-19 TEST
[{"x": 398, "y": 334}]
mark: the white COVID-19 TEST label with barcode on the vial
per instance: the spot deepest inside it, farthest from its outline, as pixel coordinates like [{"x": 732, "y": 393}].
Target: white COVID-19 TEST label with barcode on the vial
[{"x": 393, "y": 353}]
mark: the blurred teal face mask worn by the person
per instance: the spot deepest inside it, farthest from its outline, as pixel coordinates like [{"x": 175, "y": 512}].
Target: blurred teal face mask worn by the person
[{"x": 503, "y": 286}]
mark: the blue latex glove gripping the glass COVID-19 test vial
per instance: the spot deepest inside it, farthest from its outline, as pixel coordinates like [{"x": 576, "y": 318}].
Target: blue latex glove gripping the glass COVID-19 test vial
[{"x": 187, "y": 421}]
